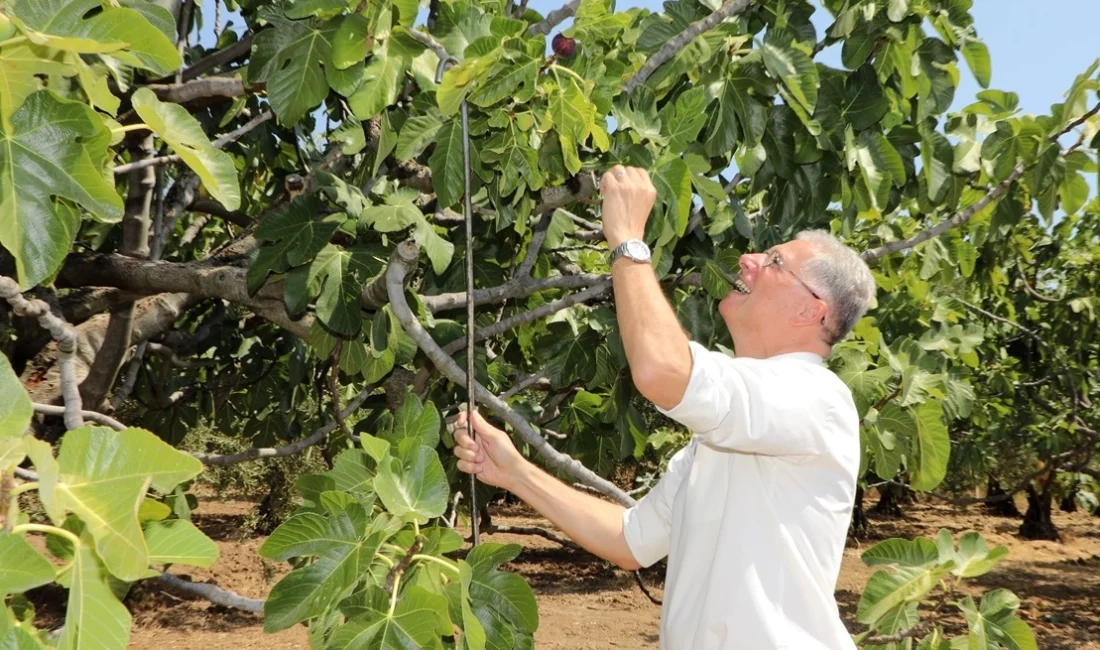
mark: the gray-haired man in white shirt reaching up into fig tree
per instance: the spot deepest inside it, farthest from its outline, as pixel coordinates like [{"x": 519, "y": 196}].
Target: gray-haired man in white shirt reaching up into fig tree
[{"x": 754, "y": 513}]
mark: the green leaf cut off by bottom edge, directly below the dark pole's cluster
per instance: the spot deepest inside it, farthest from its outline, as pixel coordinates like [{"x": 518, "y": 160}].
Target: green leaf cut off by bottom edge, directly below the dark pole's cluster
[{"x": 419, "y": 621}]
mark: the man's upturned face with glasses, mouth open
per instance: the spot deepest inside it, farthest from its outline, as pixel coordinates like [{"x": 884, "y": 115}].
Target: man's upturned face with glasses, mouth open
[{"x": 773, "y": 296}]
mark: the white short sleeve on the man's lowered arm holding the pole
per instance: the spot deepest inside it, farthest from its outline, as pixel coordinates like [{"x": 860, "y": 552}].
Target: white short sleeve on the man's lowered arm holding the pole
[{"x": 648, "y": 525}]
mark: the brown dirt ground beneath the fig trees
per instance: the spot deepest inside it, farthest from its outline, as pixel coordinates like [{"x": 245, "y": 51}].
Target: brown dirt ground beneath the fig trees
[{"x": 586, "y": 604}]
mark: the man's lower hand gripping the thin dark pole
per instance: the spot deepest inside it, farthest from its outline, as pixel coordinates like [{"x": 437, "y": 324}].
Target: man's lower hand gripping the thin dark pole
[{"x": 492, "y": 456}]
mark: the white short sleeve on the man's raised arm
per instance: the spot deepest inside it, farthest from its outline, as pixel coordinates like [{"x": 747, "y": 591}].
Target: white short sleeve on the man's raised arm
[{"x": 763, "y": 406}]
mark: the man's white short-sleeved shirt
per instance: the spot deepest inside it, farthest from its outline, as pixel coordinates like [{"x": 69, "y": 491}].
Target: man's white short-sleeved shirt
[{"x": 754, "y": 513}]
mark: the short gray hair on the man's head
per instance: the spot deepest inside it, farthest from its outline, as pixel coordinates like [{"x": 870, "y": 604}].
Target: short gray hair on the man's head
[{"x": 844, "y": 280}]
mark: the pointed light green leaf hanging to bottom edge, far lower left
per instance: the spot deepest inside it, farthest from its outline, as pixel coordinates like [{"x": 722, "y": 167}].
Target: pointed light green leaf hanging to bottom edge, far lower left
[{"x": 95, "y": 620}]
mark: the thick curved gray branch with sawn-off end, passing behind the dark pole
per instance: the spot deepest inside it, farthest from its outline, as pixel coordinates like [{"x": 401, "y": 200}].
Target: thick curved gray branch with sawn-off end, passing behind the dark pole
[{"x": 408, "y": 254}]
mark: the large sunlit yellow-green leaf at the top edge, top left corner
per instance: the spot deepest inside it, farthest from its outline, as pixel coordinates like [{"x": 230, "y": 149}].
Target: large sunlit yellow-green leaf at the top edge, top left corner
[{"x": 90, "y": 27}]
